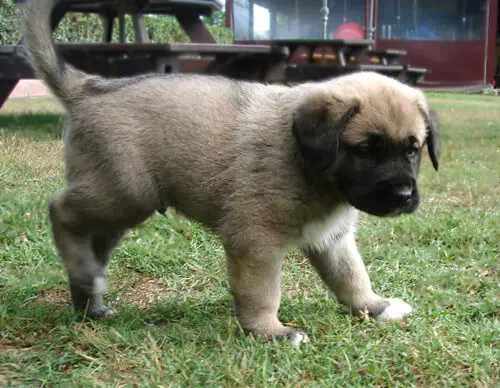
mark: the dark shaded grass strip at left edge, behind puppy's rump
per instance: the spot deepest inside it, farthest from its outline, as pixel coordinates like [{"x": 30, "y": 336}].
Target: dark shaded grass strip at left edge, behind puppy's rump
[{"x": 36, "y": 126}]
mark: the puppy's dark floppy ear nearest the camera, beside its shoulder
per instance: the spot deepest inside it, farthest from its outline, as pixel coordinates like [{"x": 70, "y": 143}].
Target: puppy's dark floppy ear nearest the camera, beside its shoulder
[{"x": 317, "y": 126}]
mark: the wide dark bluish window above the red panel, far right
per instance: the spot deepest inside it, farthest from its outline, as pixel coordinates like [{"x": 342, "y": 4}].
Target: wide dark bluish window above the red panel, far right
[{"x": 432, "y": 19}]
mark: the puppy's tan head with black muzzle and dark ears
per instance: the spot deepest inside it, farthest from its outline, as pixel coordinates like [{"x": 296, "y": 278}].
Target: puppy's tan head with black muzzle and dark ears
[{"x": 365, "y": 133}]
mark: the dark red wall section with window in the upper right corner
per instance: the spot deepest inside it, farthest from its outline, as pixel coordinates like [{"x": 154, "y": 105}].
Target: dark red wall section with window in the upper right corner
[{"x": 452, "y": 38}]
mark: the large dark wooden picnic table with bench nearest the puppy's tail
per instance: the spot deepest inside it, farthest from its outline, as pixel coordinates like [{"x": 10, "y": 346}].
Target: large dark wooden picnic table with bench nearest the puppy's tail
[{"x": 258, "y": 62}]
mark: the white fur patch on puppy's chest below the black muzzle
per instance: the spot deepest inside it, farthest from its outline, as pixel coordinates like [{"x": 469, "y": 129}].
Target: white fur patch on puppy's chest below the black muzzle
[{"x": 320, "y": 233}]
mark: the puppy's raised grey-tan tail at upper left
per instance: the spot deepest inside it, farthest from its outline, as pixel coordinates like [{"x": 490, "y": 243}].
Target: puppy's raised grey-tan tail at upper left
[{"x": 65, "y": 81}]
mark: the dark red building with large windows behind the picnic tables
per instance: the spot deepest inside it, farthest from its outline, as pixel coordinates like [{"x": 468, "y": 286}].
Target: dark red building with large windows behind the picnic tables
[{"x": 455, "y": 39}]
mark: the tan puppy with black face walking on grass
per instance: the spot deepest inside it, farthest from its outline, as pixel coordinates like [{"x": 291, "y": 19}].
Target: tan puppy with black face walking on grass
[{"x": 263, "y": 166}]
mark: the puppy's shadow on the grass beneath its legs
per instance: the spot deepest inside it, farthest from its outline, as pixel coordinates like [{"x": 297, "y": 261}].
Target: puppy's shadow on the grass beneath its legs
[{"x": 184, "y": 315}]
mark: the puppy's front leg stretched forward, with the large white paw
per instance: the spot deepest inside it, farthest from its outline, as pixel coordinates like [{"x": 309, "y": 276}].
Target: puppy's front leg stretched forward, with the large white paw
[{"x": 342, "y": 269}]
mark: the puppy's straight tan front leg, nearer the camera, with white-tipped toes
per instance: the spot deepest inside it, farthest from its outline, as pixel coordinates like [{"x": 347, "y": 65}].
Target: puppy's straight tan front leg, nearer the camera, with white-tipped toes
[{"x": 255, "y": 272}]
